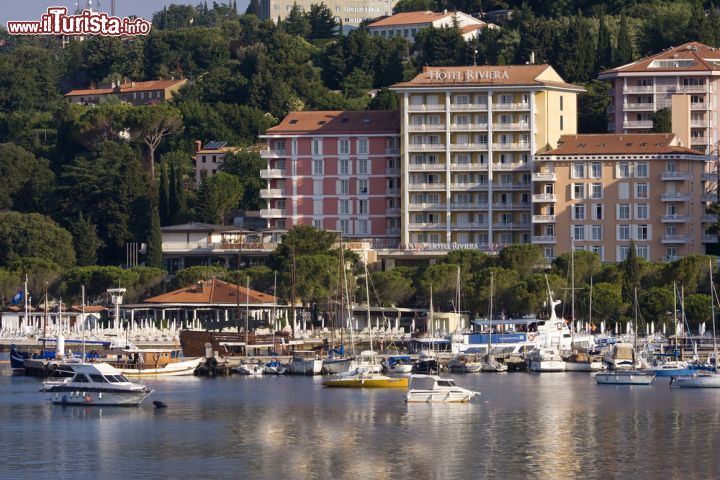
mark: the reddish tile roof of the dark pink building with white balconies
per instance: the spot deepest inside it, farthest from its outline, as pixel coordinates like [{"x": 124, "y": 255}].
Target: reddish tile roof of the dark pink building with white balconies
[{"x": 339, "y": 122}]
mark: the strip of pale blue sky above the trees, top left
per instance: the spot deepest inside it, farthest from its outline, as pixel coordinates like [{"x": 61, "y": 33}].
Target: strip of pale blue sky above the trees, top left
[{"x": 33, "y": 9}]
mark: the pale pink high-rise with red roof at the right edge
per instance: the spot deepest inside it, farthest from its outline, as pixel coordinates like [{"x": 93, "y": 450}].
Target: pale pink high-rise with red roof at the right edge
[{"x": 669, "y": 79}]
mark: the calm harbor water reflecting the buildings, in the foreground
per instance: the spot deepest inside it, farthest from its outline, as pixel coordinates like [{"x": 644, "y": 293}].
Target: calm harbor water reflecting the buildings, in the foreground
[{"x": 523, "y": 426}]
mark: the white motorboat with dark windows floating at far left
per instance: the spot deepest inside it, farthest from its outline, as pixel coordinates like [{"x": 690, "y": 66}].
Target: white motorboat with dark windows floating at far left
[{"x": 92, "y": 384}]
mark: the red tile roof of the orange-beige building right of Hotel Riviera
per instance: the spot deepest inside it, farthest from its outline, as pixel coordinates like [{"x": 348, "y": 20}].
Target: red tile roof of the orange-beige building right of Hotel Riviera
[{"x": 620, "y": 144}]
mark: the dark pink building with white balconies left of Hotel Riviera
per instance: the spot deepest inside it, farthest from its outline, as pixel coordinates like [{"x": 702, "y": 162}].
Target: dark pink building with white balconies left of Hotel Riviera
[{"x": 336, "y": 171}]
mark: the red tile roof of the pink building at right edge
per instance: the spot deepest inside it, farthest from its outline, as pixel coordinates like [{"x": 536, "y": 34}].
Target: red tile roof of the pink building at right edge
[{"x": 696, "y": 51}]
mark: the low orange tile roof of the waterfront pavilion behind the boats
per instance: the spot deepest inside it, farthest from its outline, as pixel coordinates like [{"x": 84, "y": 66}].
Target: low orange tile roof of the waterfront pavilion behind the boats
[{"x": 213, "y": 292}]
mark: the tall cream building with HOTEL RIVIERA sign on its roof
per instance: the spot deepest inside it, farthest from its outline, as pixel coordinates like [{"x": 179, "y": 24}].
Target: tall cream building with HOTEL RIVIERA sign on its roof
[{"x": 469, "y": 136}]
